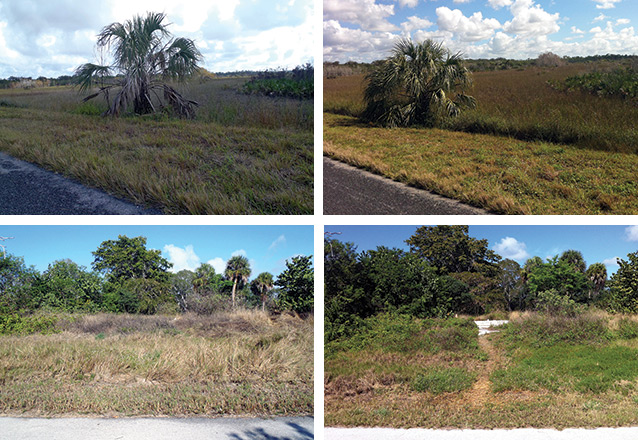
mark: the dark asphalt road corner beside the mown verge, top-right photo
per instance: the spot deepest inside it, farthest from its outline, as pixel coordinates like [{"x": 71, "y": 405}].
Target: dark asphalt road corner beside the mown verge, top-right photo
[{"x": 350, "y": 191}]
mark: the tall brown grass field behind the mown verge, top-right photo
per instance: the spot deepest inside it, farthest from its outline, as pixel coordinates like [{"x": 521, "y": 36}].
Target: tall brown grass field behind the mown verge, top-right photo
[{"x": 522, "y": 104}]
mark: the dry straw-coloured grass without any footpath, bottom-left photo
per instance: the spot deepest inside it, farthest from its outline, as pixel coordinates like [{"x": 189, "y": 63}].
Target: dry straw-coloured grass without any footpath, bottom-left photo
[{"x": 244, "y": 363}]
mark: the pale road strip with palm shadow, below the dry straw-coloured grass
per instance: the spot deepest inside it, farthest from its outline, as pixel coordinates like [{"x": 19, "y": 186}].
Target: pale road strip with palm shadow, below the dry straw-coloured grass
[{"x": 283, "y": 428}]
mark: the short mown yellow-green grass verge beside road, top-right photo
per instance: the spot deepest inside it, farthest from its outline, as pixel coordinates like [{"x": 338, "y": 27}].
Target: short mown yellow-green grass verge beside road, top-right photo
[{"x": 500, "y": 174}]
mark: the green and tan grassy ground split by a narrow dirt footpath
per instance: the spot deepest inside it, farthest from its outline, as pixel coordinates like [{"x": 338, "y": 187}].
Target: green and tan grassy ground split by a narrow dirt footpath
[{"x": 540, "y": 371}]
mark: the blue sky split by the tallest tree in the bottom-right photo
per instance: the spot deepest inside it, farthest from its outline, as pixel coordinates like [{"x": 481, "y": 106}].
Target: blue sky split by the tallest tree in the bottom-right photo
[{"x": 598, "y": 244}]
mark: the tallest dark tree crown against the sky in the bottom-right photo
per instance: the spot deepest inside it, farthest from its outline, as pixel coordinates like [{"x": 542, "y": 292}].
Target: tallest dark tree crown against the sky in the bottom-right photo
[{"x": 451, "y": 250}]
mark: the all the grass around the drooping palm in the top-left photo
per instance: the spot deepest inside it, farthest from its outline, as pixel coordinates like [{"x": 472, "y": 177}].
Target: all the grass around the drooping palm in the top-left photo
[{"x": 241, "y": 155}]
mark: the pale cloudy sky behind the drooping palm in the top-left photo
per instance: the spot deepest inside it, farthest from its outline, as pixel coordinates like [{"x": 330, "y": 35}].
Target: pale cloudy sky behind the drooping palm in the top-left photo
[{"x": 53, "y": 37}]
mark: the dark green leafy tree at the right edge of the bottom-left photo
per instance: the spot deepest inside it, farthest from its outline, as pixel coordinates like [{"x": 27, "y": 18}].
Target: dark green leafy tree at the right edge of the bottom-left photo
[{"x": 296, "y": 284}]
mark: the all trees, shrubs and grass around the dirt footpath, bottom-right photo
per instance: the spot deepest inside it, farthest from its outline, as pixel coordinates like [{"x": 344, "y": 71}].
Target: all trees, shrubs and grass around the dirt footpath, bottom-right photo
[{"x": 397, "y": 356}]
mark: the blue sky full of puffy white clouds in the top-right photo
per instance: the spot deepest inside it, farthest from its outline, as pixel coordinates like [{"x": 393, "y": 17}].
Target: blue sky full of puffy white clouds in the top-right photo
[{"x": 366, "y": 30}]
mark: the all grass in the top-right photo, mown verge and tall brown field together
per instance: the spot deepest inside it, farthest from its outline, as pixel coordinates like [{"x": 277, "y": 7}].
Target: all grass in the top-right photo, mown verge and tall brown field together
[{"x": 583, "y": 163}]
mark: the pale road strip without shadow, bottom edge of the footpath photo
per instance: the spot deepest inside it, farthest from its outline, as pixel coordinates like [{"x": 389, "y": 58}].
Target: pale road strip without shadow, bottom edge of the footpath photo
[{"x": 468, "y": 434}]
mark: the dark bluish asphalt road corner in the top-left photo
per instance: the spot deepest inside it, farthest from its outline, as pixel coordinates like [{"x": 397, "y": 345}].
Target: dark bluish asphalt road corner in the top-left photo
[{"x": 26, "y": 189}]
